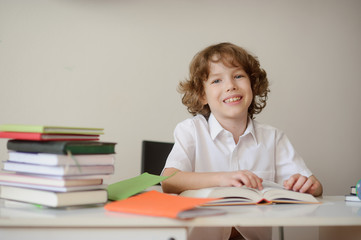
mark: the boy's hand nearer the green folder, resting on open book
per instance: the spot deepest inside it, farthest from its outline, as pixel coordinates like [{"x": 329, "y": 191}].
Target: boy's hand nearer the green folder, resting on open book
[{"x": 240, "y": 178}]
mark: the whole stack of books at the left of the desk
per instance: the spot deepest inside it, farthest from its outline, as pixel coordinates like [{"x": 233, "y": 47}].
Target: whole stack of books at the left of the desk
[{"x": 55, "y": 166}]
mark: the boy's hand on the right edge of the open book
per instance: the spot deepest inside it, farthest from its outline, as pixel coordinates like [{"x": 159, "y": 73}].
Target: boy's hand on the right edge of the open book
[{"x": 299, "y": 183}]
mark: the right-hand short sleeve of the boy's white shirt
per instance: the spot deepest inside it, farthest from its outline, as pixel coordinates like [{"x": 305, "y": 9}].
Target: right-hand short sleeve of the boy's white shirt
[{"x": 288, "y": 161}]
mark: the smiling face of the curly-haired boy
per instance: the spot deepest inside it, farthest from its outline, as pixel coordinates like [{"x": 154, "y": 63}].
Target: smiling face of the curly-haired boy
[{"x": 227, "y": 91}]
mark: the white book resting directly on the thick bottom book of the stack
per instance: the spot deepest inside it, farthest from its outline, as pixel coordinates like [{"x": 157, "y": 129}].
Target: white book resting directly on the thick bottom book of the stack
[{"x": 52, "y": 181}]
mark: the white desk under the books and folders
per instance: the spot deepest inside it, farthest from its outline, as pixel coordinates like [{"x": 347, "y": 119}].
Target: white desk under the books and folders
[{"x": 97, "y": 223}]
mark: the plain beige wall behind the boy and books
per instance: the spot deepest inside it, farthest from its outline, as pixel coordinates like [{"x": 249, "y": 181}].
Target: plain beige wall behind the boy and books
[{"x": 116, "y": 64}]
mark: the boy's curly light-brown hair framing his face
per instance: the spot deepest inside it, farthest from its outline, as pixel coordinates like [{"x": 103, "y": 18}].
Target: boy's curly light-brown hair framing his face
[{"x": 230, "y": 54}]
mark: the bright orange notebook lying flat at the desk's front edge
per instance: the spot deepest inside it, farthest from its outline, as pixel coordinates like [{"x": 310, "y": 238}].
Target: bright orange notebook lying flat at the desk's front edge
[{"x": 154, "y": 203}]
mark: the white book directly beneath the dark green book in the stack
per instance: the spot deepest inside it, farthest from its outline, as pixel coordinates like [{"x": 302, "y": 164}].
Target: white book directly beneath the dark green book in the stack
[{"x": 58, "y": 159}]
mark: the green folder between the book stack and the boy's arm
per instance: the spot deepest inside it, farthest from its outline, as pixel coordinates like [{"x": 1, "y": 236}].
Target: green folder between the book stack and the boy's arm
[{"x": 129, "y": 187}]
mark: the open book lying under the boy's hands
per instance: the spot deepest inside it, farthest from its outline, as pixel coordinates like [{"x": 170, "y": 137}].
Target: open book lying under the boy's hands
[{"x": 271, "y": 193}]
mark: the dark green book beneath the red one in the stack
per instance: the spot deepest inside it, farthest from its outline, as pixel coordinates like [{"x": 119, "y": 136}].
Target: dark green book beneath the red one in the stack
[{"x": 62, "y": 147}]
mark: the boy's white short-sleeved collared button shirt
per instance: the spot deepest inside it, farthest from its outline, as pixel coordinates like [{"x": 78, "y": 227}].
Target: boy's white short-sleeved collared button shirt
[{"x": 204, "y": 146}]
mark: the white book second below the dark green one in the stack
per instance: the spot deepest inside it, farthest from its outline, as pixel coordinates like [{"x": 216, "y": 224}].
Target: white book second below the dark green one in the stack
[{"x": 58, "y": 170}]
